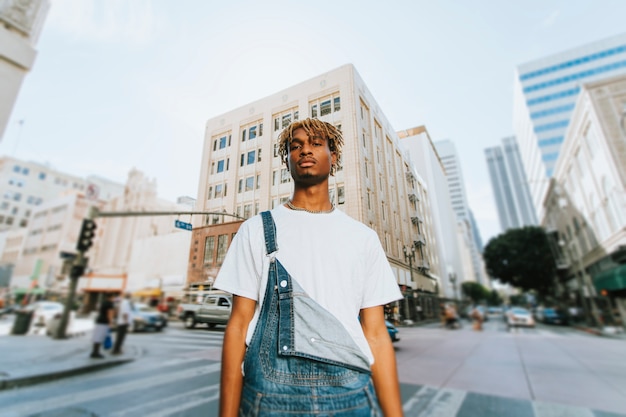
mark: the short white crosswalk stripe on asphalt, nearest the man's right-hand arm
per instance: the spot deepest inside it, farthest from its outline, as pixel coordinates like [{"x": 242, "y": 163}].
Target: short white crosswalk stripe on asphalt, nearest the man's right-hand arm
[{"x": 434, "y": 402}]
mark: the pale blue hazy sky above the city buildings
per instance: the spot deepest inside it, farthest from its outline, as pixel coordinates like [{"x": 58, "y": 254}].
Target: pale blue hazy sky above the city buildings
[{"x": 121, "y": 84}]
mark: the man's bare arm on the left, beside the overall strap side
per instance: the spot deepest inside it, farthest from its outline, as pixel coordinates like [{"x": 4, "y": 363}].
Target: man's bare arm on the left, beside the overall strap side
[{"x": 233, "y": 351}]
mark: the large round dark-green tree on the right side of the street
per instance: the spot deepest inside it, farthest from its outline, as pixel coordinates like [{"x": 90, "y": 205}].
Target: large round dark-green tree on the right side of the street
[{"x": 523, "y": 259}]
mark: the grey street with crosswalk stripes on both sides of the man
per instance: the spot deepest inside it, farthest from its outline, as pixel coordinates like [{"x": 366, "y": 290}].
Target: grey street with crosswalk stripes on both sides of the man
[{"x": 545, "y": 371}]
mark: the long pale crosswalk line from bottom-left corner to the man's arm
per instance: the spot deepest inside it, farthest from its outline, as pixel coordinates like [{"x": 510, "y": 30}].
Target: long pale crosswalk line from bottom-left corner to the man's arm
[{"x": 108, "y": 391}]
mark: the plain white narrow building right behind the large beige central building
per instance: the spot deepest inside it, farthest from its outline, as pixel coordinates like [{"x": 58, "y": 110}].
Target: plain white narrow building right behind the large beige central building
[{"x": 445, "y": 242}]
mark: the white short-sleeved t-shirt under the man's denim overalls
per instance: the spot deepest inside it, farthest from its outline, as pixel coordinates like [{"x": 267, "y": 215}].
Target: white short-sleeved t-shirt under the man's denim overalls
[{"x": 337, "y": 260}]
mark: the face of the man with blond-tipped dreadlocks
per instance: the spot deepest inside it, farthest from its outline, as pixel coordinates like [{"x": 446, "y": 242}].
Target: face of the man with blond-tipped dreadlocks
[{"x": 309, "y": 158}]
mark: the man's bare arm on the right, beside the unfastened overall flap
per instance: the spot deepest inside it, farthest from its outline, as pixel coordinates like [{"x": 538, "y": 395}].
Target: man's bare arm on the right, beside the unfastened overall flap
[{"x": 384, "y": 372}]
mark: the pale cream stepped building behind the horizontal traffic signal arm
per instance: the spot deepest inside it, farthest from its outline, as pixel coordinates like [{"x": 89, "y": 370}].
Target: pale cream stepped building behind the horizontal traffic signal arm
[{"x": 142, "y": 254}]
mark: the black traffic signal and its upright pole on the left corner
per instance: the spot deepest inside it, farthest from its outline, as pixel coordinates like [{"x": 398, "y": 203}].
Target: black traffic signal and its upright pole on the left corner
[{"x": 78, "y": 264}]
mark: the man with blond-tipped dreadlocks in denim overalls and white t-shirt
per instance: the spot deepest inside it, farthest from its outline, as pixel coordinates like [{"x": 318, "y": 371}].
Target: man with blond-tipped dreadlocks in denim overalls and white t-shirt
[{"x": 311, "y": 340}]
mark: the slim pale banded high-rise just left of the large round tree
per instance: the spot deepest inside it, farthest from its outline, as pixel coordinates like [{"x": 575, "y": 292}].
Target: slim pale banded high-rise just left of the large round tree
[{"x": 458, "y": 198}]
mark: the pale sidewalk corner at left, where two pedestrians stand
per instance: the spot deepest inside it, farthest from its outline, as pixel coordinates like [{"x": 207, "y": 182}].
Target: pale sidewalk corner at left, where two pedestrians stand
[{"x": 31, "y": 359}]
